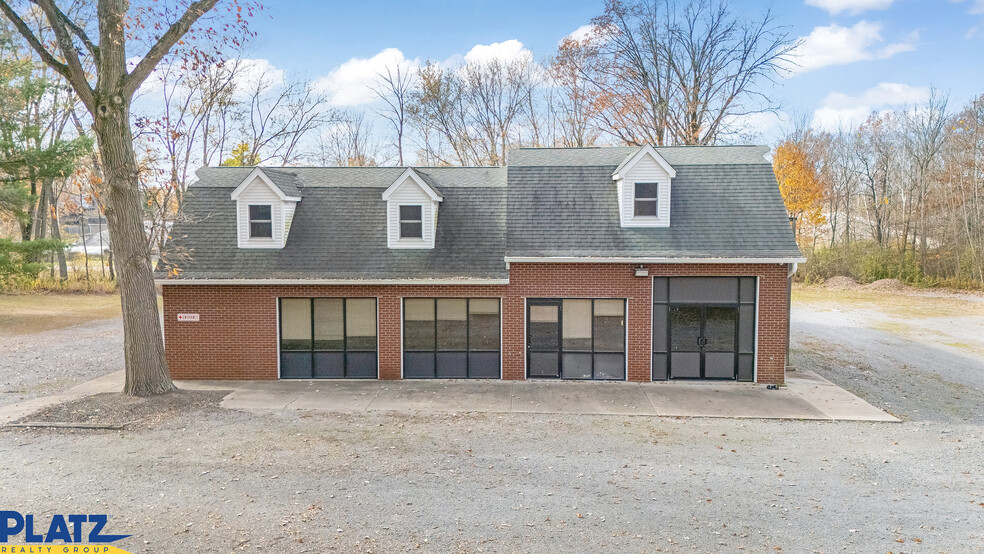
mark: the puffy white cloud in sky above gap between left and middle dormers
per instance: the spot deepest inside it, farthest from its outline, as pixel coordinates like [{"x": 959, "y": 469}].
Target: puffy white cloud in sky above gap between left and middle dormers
[{"x": 349, "y": 84}]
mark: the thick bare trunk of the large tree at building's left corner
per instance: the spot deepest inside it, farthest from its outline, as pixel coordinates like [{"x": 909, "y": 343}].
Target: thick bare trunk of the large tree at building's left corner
[{"x": 143, "y": 339}]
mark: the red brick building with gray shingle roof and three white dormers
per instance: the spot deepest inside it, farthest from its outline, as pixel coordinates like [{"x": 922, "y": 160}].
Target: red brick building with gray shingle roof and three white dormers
[{"x": 617, "y": 263}]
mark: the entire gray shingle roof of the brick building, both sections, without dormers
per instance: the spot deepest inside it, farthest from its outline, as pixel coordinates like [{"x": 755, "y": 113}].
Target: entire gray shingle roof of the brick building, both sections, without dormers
[{"x": 558, "y": 203}]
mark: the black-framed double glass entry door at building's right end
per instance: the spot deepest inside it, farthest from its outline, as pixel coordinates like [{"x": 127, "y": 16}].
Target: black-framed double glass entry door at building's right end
[{"x": 703, "y": 341}]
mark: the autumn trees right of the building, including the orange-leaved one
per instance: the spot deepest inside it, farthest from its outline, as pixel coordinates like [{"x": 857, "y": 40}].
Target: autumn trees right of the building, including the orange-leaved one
[{"x": 899, "y": 196}]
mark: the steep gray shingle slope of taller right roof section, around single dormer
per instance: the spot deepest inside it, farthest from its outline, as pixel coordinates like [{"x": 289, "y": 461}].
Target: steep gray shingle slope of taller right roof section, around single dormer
[{"x": 731, "y": 211}]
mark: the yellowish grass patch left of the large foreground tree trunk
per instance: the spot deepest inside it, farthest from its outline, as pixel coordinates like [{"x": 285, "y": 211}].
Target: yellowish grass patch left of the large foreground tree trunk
[{"x": 34, "y": 313}]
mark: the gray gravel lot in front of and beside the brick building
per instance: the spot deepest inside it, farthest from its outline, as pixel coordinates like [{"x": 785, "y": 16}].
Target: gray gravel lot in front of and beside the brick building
[{"x": 187, "y": 474}]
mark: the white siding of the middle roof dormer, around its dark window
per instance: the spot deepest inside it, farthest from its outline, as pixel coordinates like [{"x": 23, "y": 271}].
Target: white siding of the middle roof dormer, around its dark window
[{"x": 411, "y": 190}]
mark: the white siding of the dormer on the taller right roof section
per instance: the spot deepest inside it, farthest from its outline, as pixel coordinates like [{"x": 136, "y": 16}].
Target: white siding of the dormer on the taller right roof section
[{"x": 646, "y": 166}]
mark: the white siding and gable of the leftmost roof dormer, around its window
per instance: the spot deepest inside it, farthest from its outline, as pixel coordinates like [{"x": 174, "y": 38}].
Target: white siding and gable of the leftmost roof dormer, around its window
[{"x": 258, "y": 190}]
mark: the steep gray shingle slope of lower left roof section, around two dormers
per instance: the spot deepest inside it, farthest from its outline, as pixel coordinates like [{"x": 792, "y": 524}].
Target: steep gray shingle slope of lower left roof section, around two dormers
[{"x": 340, "y": 233}]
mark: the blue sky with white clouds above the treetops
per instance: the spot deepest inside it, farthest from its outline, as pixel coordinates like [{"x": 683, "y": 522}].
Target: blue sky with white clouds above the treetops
[{"x": 859, "y": 55}]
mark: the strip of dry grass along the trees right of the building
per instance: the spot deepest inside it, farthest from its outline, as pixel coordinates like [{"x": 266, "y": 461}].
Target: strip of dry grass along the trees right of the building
[{"x": 908, "y": 304}]
